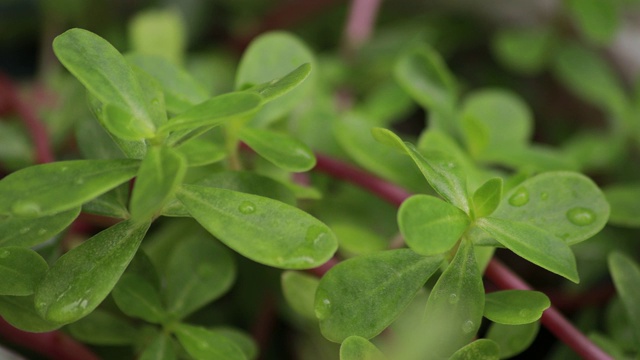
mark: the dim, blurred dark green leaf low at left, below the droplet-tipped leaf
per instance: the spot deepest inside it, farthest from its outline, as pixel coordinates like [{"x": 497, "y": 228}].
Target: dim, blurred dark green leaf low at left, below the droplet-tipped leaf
[{"x": 103, "y": 328}]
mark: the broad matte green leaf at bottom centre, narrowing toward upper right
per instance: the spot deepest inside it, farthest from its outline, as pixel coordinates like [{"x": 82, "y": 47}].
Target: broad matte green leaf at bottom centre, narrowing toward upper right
[{"x": 363, "y": 295}]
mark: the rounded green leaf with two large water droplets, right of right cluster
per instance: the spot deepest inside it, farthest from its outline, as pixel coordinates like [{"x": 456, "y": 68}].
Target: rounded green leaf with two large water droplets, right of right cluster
[{"x": 565, "y": 204}]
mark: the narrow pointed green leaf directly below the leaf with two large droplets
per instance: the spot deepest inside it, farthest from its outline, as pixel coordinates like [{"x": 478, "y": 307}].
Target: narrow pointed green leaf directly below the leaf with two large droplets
[{"x": 533, "y": 244}]
